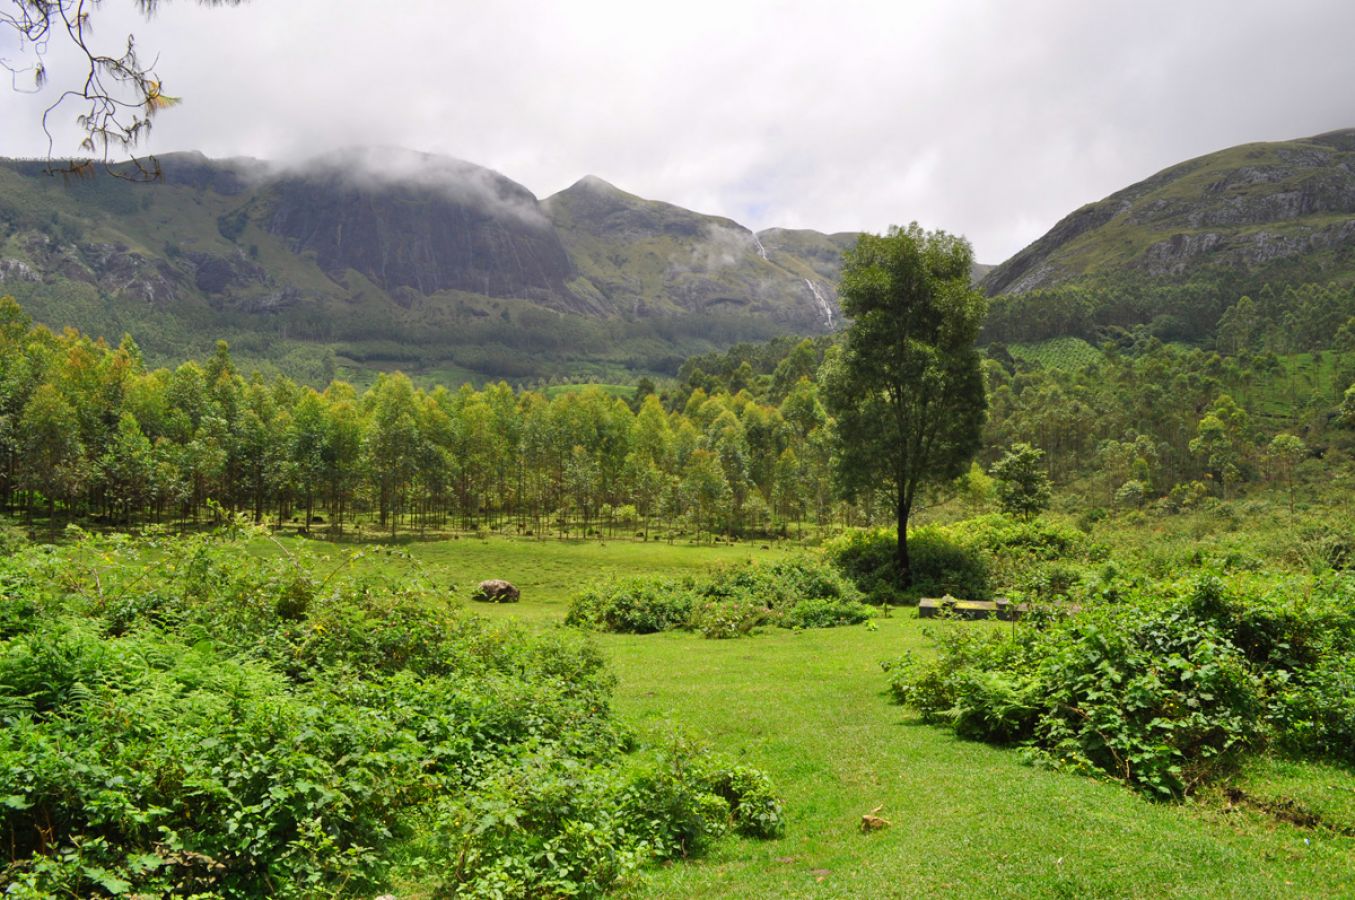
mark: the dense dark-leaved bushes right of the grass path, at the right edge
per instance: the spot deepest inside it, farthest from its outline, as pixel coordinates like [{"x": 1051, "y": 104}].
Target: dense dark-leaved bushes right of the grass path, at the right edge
[{"x": 1163, "y": 685}]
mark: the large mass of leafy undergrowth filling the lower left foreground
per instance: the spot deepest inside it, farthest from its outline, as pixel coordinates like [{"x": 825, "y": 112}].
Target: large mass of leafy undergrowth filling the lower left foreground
[{"x": 185, "y": 716}]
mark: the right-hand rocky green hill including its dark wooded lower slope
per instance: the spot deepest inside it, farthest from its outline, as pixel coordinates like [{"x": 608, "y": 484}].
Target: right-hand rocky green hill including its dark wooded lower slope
[{"x": 1173, "y": 255}]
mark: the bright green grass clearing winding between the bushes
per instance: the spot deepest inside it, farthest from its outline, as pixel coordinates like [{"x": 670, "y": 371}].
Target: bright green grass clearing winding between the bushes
[{"x": 968, "y": 819}]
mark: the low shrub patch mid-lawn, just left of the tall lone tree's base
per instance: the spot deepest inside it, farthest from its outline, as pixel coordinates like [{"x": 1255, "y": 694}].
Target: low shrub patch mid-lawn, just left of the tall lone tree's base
[{"x": 727, "y": 602}]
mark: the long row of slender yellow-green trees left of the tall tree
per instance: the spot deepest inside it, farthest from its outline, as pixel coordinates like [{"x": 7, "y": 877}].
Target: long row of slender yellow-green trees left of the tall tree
[{"x": 89, "y": 430}]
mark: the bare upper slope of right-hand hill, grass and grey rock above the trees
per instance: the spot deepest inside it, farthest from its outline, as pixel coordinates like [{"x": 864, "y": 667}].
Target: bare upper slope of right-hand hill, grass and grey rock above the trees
[{"x": 1284, "y": 211}]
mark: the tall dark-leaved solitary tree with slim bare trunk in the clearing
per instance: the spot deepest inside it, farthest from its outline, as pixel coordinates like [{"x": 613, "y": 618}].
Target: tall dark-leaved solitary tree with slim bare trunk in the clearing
[{"x": 907, "y": 390}]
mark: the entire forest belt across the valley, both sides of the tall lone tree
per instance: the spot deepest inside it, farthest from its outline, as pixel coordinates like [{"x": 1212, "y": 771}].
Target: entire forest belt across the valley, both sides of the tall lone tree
[{"x": 739, "y": 445}]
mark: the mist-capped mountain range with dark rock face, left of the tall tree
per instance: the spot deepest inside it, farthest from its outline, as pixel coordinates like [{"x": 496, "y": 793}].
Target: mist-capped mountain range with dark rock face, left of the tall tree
[{"x": 368, "y": 260}]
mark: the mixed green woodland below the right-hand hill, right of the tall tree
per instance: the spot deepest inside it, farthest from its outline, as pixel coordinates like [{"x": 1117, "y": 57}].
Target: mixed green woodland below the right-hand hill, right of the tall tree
[{"x": 1171, "y": 426}]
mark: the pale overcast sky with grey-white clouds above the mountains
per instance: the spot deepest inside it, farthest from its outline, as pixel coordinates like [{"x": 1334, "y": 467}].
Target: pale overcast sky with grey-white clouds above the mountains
[{"x": 991, "y": 120}]
